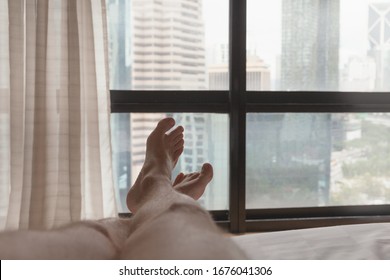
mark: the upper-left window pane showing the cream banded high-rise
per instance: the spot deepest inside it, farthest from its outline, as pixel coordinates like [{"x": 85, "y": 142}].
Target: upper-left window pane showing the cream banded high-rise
[{"x": 168, "y": 44}]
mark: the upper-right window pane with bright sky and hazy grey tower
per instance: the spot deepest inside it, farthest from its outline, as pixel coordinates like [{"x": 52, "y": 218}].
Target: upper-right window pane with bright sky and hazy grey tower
[{"x": 319, "y": 45}]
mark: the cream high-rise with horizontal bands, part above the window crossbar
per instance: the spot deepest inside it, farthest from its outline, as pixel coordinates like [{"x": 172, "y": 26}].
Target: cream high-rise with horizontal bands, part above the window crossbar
[{"x": 168, "y": 45}]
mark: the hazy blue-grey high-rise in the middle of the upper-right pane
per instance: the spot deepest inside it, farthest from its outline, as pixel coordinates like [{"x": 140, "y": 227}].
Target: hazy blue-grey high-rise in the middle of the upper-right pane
[{"x": 310, "y": 45}]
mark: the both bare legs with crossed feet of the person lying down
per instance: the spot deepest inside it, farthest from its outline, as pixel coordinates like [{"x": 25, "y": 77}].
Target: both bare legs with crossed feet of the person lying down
[{"x": 169, "y": 223}]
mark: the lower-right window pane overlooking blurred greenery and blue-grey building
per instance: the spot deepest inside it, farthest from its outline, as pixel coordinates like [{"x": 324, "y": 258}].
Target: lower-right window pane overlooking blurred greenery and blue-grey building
[{"x": 317, "y": 159}]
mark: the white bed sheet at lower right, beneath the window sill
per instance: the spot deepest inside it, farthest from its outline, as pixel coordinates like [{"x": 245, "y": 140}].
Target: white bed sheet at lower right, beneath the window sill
[{"x": 349, "y": 242}]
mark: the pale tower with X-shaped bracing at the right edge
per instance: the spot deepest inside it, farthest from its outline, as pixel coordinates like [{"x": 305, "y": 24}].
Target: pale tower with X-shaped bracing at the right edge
[{"x": 379, "y": 38}]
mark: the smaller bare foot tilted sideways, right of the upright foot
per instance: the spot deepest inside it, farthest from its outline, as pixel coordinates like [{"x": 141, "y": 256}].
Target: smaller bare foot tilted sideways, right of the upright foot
[{"x": 194, "y": 184}]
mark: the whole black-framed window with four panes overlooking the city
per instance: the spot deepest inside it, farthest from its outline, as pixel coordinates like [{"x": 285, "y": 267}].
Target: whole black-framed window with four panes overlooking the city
[{"x": 287, "y": 99}]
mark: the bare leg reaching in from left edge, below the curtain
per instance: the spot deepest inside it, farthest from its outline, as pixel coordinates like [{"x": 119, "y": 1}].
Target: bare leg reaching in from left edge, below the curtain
[{"x": 89, "y": 240}]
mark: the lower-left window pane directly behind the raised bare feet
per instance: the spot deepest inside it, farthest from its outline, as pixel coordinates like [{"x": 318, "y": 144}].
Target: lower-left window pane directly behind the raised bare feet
[{"x": 206, "y": 140}]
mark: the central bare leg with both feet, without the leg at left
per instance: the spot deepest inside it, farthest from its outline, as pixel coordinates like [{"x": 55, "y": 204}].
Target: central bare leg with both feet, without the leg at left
[{"x": 170, "y": 224}]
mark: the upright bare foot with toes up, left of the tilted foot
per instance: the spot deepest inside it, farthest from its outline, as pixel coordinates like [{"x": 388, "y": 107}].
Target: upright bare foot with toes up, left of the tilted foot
[{"x": 162, "y": 153}]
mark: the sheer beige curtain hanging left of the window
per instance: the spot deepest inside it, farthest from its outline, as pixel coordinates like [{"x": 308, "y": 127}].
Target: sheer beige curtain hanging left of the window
[{"x": 55, "y": 153}]
